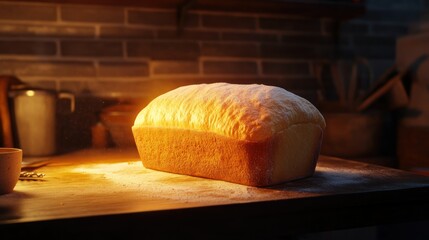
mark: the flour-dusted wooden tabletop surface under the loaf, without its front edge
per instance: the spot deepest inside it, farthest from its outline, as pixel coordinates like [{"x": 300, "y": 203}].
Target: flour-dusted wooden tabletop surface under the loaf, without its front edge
[{"x": 94, "y": 182}]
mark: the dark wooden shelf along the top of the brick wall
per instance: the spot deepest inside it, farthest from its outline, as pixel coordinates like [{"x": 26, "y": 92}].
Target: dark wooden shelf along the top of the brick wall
[{"x": 340, "y": 10}]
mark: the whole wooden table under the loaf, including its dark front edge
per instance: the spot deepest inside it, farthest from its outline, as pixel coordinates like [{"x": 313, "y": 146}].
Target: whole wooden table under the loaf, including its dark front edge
[{"x": 101, "y": 194}]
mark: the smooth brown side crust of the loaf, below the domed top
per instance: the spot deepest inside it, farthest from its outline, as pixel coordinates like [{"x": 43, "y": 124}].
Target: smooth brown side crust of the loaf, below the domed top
[{"x": 214, "y": 156}]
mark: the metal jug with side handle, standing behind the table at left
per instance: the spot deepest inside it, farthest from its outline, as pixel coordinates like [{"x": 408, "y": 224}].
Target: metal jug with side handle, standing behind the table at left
[{"x": 35, "y": 119}]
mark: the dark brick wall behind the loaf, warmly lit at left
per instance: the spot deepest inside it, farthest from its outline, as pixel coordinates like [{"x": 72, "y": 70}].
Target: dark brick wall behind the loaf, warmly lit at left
[{"x": 136, "y": 52}]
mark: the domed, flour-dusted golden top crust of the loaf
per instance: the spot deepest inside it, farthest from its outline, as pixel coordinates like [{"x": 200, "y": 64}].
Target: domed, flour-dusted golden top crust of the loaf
[{"x": 245, "y": 112}]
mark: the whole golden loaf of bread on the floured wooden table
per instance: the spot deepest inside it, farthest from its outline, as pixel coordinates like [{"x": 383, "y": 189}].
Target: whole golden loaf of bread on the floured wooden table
[{"x": 253, "y": 135}]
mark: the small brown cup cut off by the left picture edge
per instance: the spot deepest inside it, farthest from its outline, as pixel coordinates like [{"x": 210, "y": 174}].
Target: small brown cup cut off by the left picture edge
[{"x": 10, "y": 168}]
